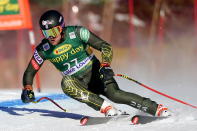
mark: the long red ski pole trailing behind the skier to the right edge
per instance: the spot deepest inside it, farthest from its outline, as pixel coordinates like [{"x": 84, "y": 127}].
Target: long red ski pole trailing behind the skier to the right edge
[{"x": 160, "y": 93}]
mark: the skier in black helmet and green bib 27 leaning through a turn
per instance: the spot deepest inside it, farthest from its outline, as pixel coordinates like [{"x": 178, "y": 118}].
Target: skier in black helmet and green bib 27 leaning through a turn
[{"x": 84, "y": 76}]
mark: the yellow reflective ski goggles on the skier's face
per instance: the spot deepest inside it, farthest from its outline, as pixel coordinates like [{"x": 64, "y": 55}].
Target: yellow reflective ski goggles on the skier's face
[{"x": 53, "y": 32}]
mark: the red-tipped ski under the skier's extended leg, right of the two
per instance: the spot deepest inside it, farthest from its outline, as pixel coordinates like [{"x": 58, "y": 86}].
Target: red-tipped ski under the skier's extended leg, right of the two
[{"x": 142, "y": 119}]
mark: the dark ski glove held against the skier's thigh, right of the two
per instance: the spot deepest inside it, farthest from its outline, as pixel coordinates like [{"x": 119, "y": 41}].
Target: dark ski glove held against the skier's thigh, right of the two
[{"x": 106, "y": 72}]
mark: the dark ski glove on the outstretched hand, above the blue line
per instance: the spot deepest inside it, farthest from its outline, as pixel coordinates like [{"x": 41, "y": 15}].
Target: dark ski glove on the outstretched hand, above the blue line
[{"x": 27, "y": 94}]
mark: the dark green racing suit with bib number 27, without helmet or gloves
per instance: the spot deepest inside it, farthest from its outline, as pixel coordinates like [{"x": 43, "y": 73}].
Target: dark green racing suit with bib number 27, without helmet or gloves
[{"x": 80, "y": 69}]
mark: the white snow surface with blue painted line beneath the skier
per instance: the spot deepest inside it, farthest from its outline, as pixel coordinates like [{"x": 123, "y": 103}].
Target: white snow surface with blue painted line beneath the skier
[{"x": 45, "y": 116}]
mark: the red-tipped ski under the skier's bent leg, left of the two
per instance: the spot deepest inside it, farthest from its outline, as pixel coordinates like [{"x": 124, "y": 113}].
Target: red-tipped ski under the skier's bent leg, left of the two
[{"x": 87, "y": 120}]
